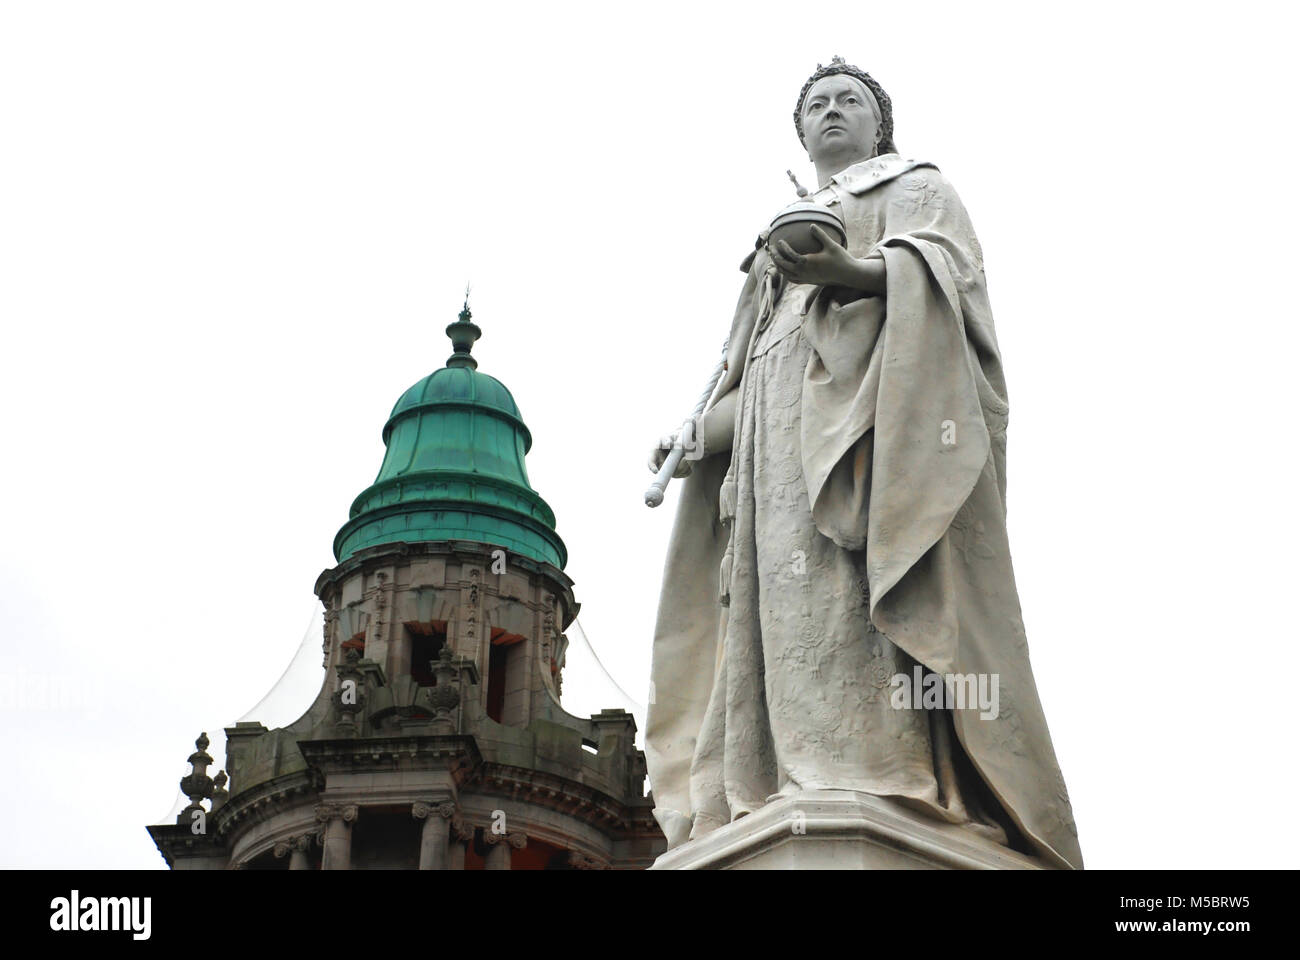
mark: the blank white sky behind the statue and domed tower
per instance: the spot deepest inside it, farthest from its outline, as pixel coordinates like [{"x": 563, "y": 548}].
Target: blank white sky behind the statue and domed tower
[{"x": 231, "y": 236}]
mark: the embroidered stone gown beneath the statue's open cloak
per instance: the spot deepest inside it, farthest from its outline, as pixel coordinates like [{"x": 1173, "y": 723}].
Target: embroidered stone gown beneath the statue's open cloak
[{"x": 803, "y": 695}]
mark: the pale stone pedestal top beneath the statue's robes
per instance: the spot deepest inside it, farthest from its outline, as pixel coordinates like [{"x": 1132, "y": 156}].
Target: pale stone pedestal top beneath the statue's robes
[{"x": 842, "y": 831}]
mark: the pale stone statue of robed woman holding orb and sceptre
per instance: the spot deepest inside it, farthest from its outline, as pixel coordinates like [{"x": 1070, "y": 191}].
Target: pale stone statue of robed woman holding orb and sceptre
[{"x": 839, "y": 609}]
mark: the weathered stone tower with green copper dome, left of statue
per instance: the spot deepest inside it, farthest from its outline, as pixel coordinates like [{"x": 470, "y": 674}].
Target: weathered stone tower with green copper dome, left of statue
[{"x": 437, "y": 741}]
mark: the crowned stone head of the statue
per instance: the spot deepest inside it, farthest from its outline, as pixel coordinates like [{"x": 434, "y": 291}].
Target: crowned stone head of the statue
[{"x": 843, "y": 110}]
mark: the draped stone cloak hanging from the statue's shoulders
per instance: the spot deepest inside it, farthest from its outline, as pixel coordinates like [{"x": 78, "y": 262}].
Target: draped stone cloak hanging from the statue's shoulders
[{"x": 903, "y": 446}]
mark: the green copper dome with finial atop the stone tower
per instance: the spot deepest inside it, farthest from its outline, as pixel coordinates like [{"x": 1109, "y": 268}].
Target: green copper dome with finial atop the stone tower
[{"x": 454, "y": 468}]
